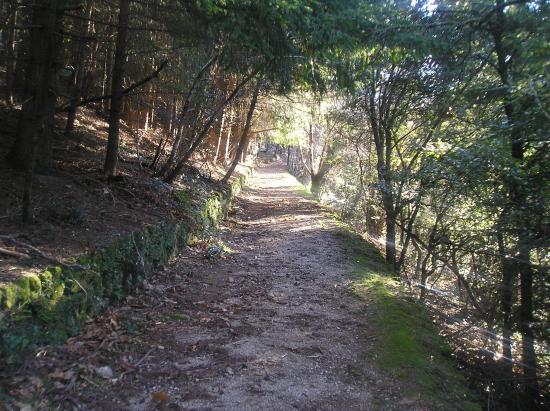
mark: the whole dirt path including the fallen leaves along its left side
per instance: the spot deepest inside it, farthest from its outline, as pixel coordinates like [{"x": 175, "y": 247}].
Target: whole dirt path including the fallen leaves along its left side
[{"x": 269, "y": 324}]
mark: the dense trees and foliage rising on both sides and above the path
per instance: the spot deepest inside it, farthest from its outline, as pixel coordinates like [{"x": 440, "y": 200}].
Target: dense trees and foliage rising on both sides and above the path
[{"x": 423, "y": 124}]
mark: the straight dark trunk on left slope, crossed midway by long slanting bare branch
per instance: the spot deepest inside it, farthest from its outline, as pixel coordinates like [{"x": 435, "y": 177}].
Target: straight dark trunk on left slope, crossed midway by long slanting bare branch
[{"x": 111, "y": 157}]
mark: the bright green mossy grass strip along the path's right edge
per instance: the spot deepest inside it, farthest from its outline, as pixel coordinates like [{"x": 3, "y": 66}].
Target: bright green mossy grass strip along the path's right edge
[{"x": 408, "y": 345}]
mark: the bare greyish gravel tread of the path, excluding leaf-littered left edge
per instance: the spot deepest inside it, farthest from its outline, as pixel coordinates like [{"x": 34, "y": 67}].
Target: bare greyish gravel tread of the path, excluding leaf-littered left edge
[{"x": 271, "y": 326}]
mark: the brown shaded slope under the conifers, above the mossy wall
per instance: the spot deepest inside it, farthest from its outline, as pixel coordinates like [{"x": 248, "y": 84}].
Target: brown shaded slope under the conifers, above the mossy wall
[{"x": 75, "y": 211}]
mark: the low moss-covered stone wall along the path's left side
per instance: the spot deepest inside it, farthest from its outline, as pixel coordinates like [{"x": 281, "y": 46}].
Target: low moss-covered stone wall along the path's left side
[{"x": 48, "y": 307}]
